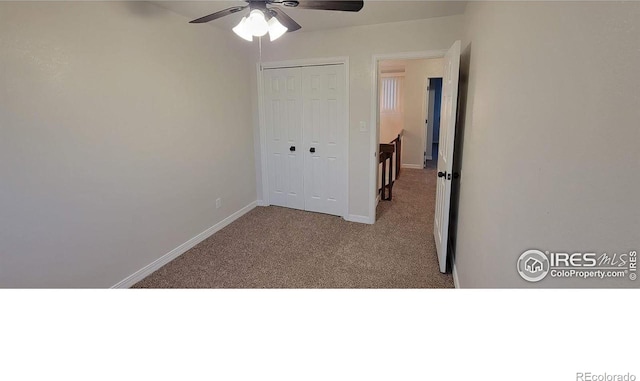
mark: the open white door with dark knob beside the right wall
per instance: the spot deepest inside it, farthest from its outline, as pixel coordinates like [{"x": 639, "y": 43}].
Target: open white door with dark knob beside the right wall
[{"x": 445, "y": 151}]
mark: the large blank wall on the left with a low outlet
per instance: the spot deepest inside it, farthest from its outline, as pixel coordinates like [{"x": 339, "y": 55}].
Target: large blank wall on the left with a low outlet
[{"x": 120, "y": 124}]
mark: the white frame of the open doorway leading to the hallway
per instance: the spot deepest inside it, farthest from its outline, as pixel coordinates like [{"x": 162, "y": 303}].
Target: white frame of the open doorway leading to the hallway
[{"x": 374, "y": 140}]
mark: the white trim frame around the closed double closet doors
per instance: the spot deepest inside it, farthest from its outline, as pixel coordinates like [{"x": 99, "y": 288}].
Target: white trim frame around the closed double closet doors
[{"x": 263, "y": 187}]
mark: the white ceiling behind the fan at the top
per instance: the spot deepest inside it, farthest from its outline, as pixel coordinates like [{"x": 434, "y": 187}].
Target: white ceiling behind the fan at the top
[{"x": 374, "y": 12}]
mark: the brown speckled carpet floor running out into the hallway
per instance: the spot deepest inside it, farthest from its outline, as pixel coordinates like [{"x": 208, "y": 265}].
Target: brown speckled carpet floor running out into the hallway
[{"x": 273, "y": 247}]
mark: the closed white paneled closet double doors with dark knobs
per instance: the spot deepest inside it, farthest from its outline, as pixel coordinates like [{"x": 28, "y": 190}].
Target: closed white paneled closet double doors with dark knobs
[{"x": 307, "y": 137}]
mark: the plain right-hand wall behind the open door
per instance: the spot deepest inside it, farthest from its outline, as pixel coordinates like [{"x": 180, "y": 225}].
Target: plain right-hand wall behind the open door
[{"x": 551, "y": 136}]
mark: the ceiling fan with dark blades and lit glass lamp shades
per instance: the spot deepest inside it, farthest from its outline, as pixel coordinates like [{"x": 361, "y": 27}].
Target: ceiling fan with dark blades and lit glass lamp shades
[{"x": 264, "y": 18}]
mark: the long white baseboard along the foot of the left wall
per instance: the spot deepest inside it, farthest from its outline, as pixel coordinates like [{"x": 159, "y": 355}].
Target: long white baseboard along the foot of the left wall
[{"x": 178, "y": 251}]
